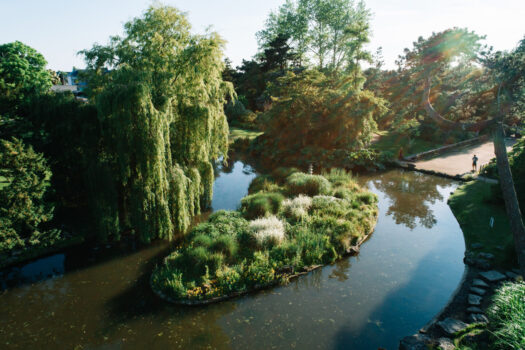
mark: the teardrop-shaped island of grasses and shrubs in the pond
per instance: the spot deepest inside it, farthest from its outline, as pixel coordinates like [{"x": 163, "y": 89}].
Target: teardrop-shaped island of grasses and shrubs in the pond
[{"x": 306, "y": 220}]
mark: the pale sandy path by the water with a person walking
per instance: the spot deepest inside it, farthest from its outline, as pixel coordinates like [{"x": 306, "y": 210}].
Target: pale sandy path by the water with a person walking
[{"x": 459, "y": 162}]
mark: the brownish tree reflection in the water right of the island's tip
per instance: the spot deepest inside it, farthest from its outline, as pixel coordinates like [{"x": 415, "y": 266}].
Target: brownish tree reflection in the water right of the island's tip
[{"x": 410, "y": 194}]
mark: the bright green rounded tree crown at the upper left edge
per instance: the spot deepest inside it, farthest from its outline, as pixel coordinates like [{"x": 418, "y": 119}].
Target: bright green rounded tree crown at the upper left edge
[{"x": 22, "y": 75}]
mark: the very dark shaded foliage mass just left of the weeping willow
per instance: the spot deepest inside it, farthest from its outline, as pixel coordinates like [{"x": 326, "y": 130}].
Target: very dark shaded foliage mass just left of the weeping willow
[{"x": 67, "y": 132}]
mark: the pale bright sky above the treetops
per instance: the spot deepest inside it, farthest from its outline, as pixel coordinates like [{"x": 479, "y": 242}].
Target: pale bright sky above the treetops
[{"x": 60, "y": 28}]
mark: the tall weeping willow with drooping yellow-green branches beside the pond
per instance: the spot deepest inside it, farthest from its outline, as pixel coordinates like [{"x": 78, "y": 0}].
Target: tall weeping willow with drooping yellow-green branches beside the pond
[{"x": 160, "y": 97}]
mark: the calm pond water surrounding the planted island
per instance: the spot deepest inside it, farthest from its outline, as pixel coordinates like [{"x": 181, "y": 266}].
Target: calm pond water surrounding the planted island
[{"x": 100, "y": 298}]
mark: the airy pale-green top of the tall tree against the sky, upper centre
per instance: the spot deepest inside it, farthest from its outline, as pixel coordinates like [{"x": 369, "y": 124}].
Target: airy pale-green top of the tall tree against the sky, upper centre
[{"x": 330, "y": 33}]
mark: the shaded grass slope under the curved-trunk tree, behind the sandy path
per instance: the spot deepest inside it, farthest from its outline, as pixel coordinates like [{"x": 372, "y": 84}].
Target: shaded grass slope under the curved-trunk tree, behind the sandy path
[{"x": 393, "y": 141}]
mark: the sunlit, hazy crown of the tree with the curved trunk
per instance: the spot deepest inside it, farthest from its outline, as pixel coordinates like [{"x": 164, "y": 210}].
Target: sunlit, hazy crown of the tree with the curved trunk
[{"x": 467, "y": 91}]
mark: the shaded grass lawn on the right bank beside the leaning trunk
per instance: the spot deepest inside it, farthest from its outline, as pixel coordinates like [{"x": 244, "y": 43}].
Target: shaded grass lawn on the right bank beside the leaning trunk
[{"x": 473, "y": 210}]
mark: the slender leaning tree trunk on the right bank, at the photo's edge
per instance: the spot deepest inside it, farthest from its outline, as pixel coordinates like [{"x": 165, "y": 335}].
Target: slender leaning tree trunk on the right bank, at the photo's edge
[{"x": 509, "y": 195}]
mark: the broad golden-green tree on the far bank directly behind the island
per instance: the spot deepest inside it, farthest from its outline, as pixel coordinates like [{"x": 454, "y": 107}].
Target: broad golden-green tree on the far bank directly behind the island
[{"x": 314, "y": 116}]
